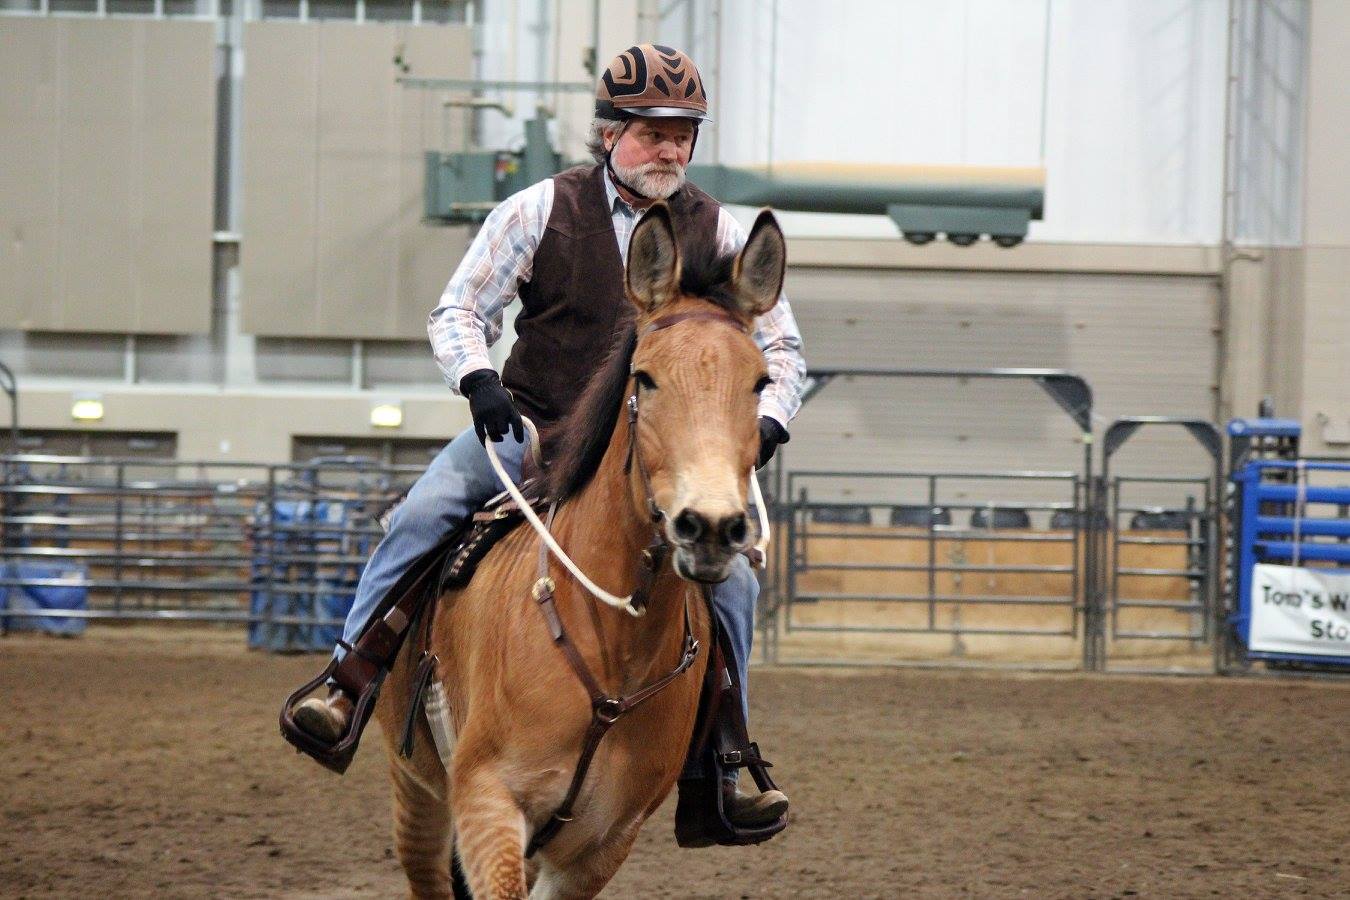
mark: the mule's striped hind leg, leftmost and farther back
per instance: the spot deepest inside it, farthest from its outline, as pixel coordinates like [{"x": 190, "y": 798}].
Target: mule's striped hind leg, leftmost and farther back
[{"x": 422, "y": 825}]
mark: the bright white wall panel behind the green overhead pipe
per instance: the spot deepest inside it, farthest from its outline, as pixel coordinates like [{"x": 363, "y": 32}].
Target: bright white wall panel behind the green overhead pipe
[{"x": 1121, "y": 102}]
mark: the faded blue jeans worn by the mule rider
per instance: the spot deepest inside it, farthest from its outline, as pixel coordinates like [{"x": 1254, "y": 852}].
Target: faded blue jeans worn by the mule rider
[{"x": 457, "y": 484}]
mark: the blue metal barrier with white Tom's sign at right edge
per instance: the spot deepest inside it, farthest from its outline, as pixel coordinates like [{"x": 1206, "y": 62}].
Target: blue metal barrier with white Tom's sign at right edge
[{"x": 1291, "y": 605}]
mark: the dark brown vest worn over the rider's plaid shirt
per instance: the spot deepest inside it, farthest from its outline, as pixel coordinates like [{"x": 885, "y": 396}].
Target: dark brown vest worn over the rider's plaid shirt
[{"x": 574, "y": 307}]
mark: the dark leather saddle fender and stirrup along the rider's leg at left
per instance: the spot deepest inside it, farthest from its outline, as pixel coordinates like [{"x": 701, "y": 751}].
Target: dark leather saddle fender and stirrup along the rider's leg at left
[{"x": 362, "y": 671}]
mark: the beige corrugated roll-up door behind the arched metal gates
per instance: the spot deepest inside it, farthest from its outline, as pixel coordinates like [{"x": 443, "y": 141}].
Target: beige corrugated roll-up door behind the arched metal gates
[{"x": 1148, "y": 345}]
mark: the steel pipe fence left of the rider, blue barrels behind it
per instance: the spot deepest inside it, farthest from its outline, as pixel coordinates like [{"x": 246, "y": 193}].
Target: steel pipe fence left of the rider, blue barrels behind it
[{"x": 168, "y": 540}]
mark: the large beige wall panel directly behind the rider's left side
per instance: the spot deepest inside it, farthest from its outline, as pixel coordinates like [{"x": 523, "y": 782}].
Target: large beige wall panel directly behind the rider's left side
[{"x": 333, "y": 192}]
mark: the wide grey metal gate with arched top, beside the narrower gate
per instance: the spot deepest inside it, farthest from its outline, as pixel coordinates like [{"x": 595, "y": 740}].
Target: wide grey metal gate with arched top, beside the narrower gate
[{"x": 993, "y": 574}]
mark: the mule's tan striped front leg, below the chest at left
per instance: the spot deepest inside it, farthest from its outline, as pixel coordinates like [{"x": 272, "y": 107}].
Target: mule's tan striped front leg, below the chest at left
[{"x": 489, "y": 832}]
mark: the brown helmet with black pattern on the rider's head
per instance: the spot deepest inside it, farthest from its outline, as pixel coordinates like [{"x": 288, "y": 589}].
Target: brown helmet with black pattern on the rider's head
[{"x": 651, "y": 80}]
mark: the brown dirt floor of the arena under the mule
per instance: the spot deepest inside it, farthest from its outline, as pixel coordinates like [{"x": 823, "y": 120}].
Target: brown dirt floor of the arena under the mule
[{"x": 133, "y": 770}]
